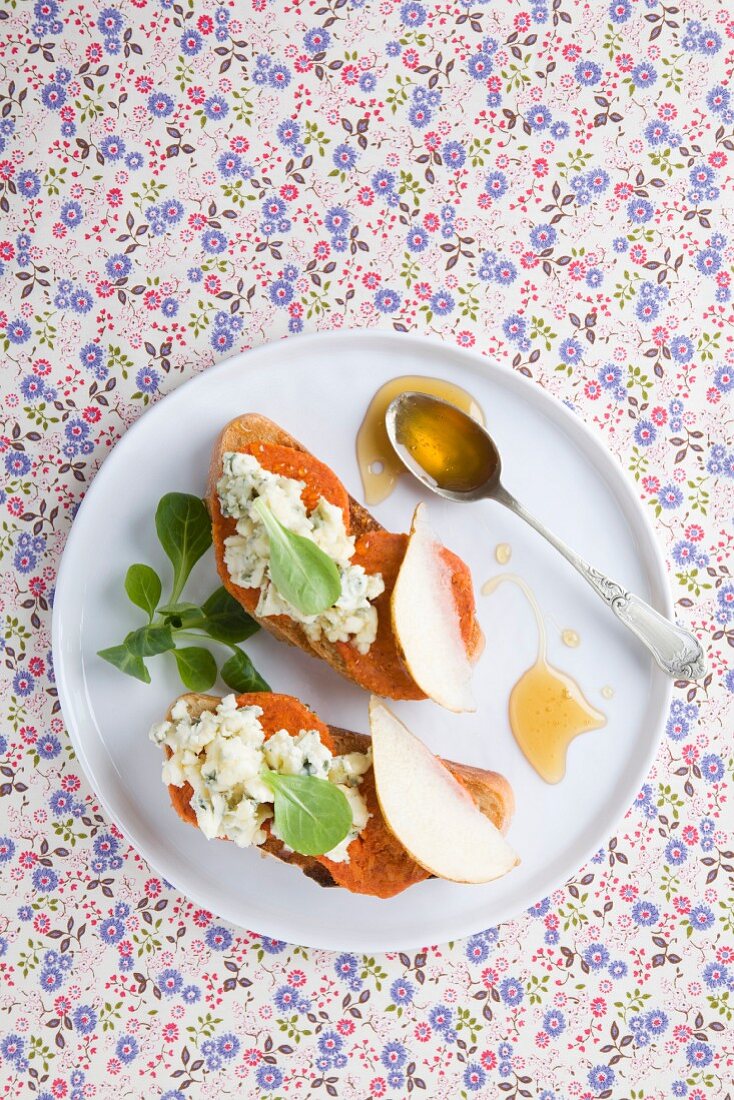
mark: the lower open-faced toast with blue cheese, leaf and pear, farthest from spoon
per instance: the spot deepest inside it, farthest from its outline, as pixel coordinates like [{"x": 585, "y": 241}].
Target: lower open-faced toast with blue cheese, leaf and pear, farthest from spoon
[{"x": 373, "y": 816}]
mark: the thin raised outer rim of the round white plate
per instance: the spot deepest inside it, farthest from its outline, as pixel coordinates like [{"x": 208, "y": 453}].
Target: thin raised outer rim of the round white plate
[{"x": 662, "y": 599}]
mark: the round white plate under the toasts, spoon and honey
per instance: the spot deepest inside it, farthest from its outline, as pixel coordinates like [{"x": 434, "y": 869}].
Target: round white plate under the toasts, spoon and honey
[{"x": 319, "y": 388}]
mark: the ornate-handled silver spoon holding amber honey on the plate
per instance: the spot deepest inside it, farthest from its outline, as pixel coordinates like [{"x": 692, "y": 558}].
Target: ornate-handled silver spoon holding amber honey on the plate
[{"x": 455, "y": 457}]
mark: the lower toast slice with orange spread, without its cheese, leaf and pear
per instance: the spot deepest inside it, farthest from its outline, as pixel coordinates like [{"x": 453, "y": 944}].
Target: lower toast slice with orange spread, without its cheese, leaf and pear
[{"x": 378, "y": 863}]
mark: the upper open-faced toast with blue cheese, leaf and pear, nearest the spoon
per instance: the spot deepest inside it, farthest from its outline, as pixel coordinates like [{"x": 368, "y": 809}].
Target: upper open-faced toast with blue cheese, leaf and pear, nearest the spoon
[{"x": 314, "y": 568}]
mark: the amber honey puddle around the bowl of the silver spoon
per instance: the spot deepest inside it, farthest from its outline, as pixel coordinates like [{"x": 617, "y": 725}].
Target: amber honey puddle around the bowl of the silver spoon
[{"x": 380, "y": 468}]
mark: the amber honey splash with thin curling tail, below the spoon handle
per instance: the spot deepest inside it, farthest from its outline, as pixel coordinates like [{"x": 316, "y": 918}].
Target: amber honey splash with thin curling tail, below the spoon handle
[{"x": 547, "y": 708}]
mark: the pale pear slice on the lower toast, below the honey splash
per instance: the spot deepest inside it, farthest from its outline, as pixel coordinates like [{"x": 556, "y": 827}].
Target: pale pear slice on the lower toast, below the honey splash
[{"x": 434, "y": 818}]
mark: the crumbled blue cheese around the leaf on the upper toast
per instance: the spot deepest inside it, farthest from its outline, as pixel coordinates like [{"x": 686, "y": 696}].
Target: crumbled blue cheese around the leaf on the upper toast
[{"x": 247, "y": 555}]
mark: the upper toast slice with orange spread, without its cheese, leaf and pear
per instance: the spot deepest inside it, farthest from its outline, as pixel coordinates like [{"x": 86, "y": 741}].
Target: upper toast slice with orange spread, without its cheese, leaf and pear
[{"x": 381, "y": 670}]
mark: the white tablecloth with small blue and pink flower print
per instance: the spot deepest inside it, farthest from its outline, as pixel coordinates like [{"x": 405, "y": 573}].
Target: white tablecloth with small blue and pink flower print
[{"x": 549, "y": 182}]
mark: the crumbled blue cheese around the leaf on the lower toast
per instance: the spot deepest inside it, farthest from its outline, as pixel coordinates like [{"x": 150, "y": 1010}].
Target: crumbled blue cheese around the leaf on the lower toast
[{"x": 223, "y": 754}]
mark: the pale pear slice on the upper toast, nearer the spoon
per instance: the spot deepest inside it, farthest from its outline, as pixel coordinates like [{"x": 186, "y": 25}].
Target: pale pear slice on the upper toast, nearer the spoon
[{"x": 426, "y": 624}]
